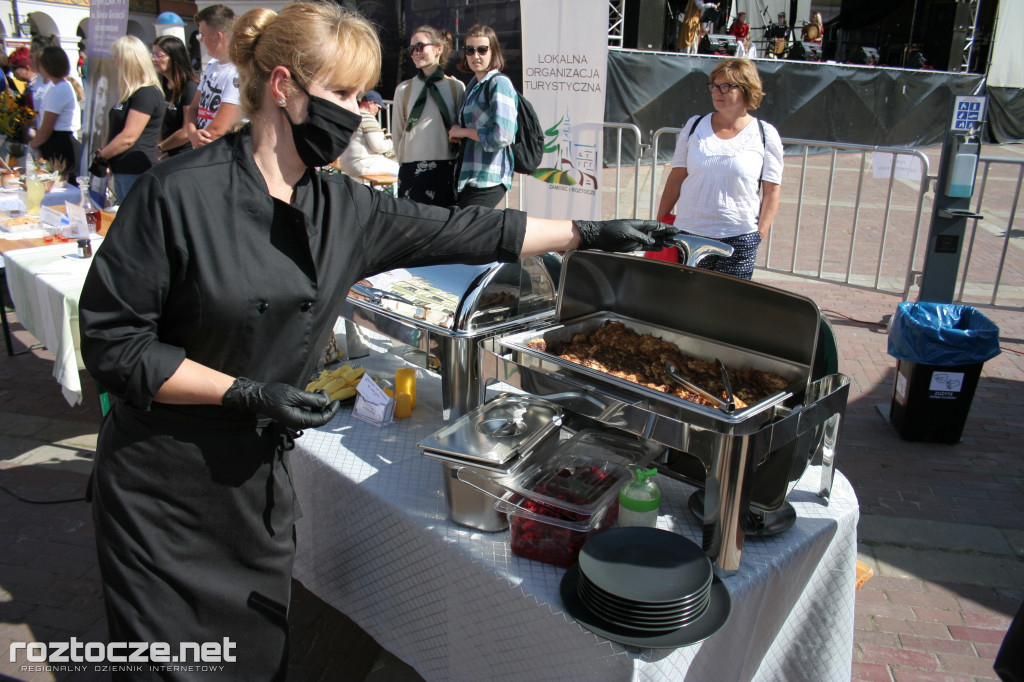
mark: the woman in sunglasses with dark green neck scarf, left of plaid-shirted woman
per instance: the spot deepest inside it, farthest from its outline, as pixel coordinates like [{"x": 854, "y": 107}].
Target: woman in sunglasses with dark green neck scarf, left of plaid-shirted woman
[{"x": 425, "y": 108}]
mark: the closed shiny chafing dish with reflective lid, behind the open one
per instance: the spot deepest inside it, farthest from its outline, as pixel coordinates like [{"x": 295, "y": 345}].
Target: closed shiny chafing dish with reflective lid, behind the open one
[{"x": 444, "y": 312}]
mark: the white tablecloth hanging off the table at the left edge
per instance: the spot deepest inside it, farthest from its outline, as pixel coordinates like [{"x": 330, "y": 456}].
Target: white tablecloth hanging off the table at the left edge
[{"x": 46, "y": 287}]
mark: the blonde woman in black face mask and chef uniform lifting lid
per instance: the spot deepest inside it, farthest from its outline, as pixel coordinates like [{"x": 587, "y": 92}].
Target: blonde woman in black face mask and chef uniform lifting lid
[{"x": 211, "y": 300}]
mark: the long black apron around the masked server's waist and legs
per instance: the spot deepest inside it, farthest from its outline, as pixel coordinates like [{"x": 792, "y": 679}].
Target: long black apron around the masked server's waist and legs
[{"x": 195, "y": 522}]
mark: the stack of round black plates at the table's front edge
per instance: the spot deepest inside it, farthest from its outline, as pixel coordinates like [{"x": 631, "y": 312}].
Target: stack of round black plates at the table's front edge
[{"x": 646, "y": 587}]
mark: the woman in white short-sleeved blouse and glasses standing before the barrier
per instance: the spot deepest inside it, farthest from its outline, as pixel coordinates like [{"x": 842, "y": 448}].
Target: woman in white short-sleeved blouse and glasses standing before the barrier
[{"x": 728, "y": 172}]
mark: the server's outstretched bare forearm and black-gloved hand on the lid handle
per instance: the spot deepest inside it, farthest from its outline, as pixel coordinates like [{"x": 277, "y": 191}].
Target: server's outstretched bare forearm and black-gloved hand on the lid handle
[{"x": 621, "y": 235}]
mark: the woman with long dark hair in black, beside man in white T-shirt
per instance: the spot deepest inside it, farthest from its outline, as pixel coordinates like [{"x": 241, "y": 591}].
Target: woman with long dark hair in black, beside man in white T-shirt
[{"x": 170, "y": 57}]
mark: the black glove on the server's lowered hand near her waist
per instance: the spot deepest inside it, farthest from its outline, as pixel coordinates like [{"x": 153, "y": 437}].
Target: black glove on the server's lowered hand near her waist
[{"x": 285, "y": 405}]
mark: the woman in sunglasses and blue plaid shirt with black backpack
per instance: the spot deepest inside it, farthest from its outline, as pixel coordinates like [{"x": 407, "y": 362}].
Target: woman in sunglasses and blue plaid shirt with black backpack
[{"x": 487, "y": 123}]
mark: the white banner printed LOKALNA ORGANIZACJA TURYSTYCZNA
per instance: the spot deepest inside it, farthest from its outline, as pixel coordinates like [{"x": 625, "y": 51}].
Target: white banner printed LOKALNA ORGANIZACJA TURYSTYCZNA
[{"x": 565, "y": 60}]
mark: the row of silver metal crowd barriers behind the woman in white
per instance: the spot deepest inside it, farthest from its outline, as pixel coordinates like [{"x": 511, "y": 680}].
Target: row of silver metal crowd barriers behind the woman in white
[{"x": 842, "y": 220}]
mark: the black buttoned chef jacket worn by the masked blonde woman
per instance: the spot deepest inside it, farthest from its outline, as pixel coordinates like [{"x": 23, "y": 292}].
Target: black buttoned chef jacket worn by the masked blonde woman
[{"x": 201, "y": 263}]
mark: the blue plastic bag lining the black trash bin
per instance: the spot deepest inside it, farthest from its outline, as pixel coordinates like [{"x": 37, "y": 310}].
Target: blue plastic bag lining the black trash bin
[{"x": 943, "y": 334}]
